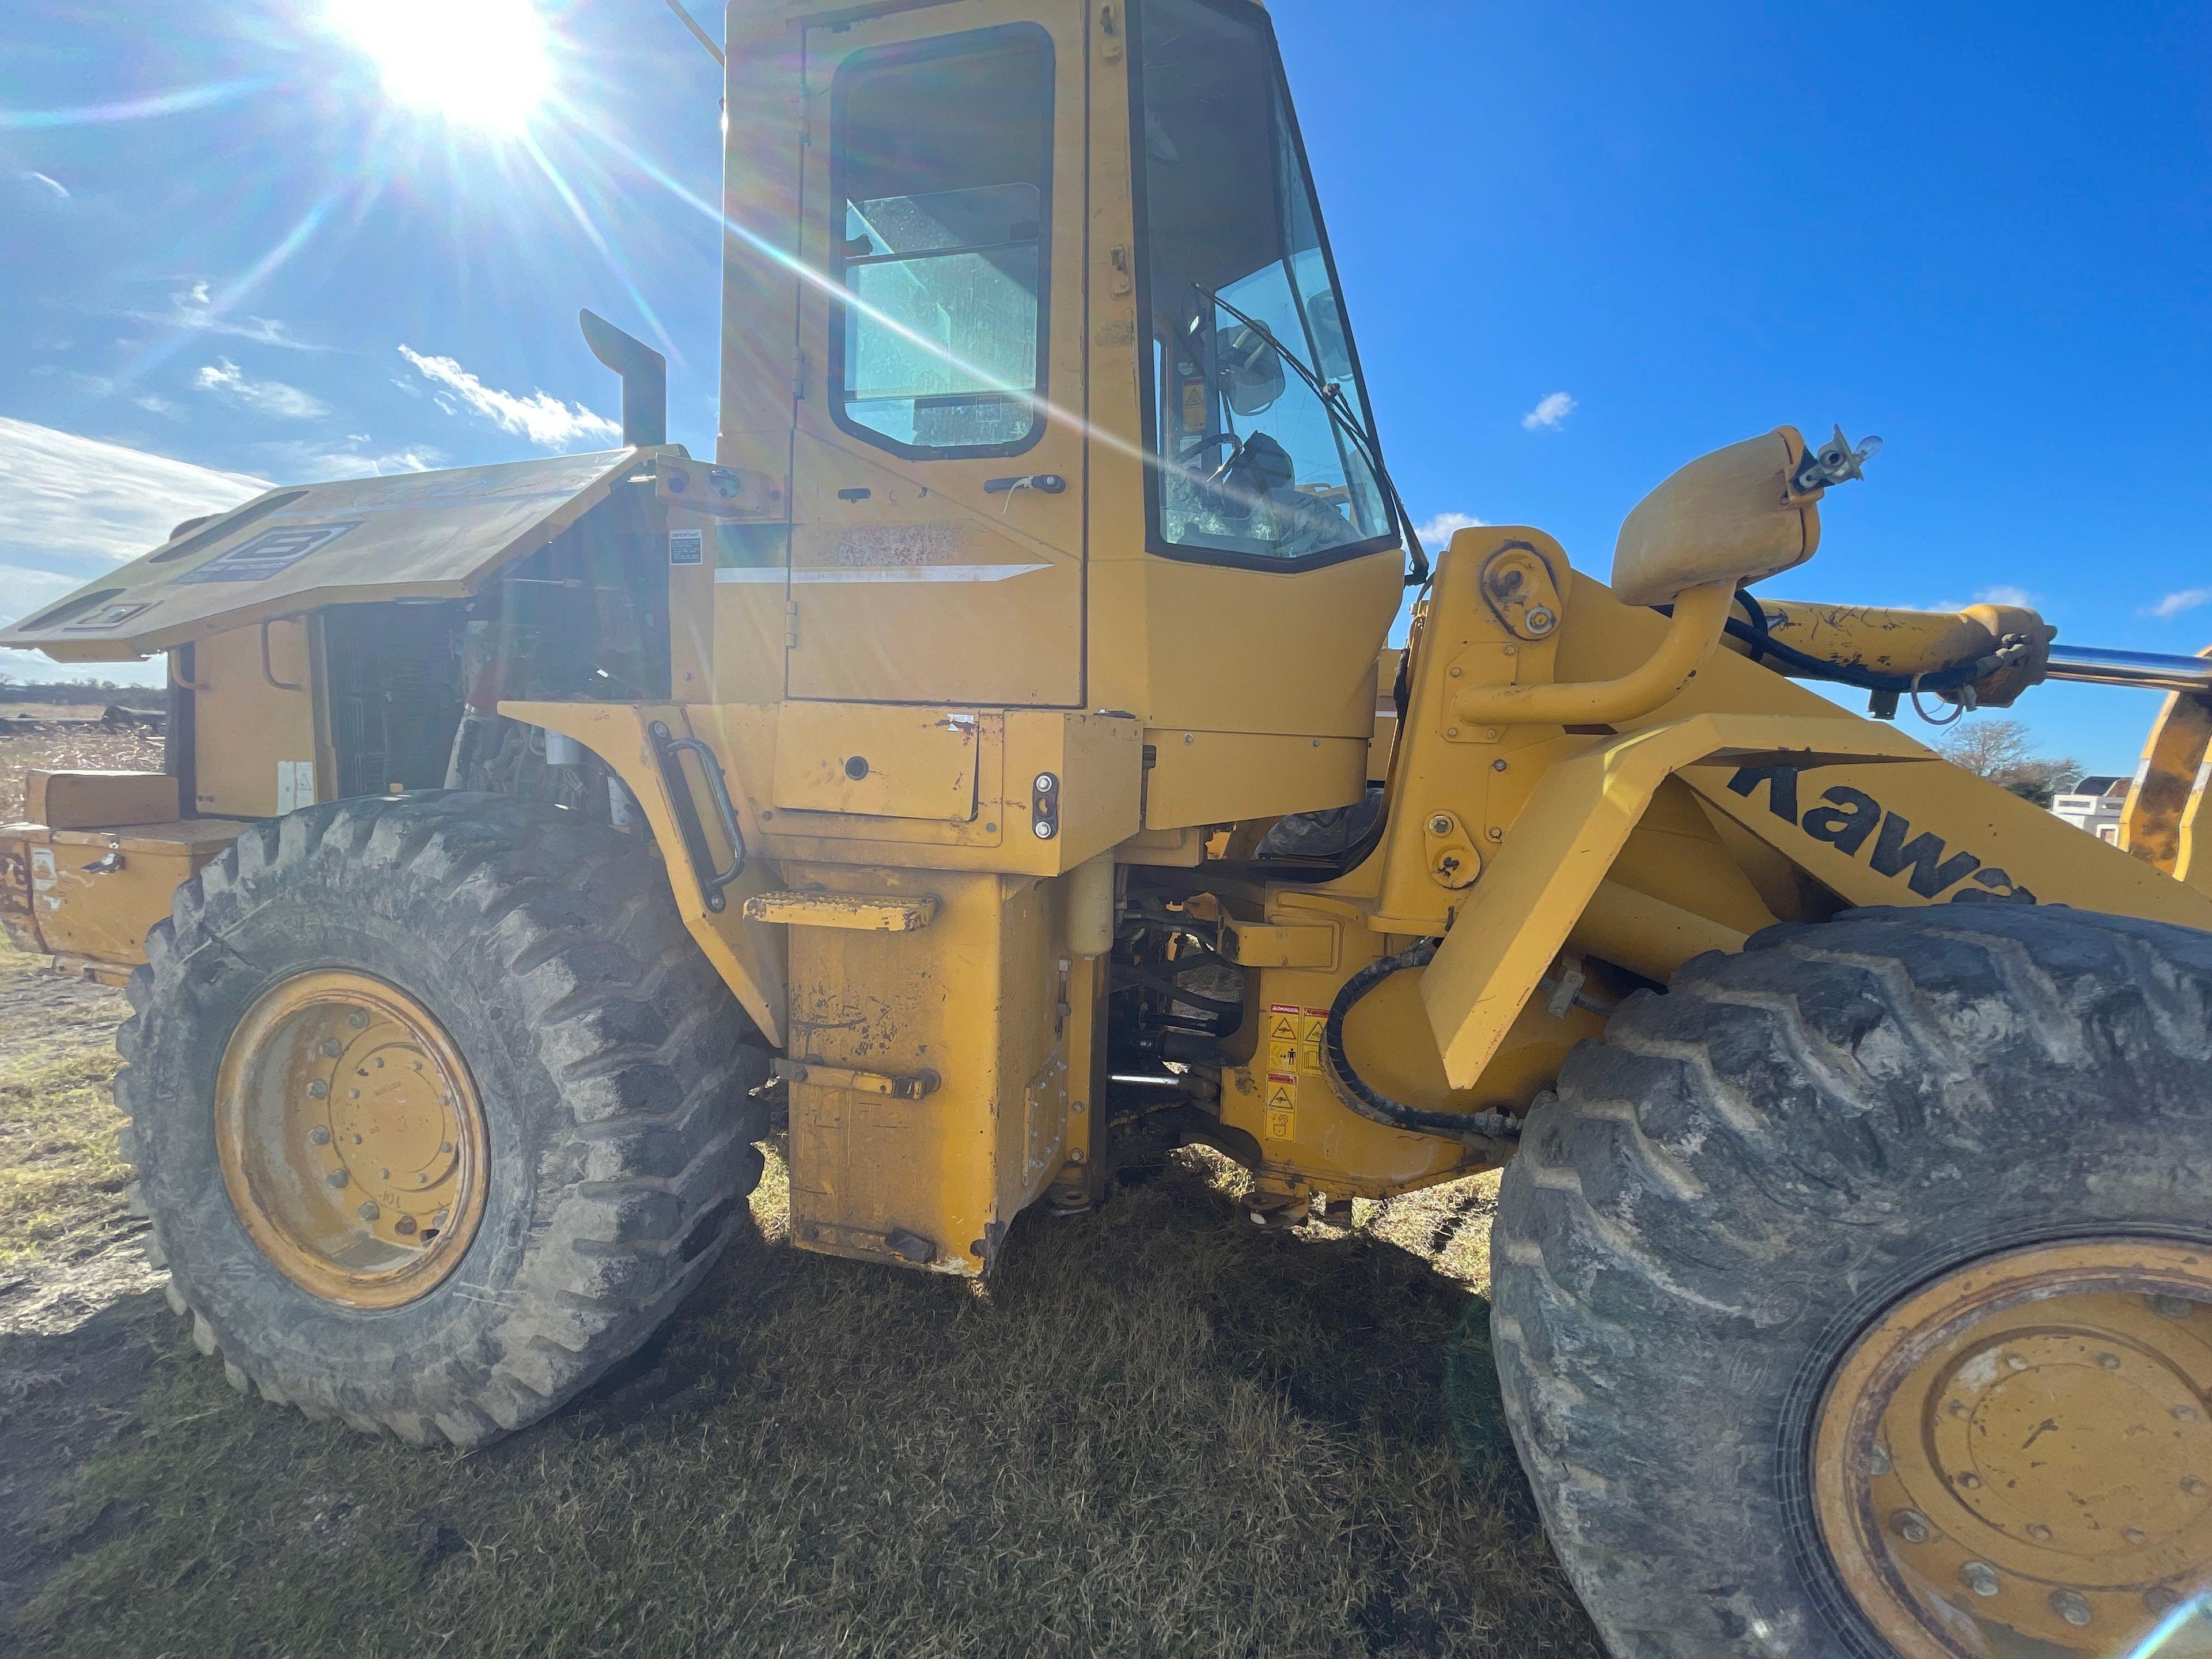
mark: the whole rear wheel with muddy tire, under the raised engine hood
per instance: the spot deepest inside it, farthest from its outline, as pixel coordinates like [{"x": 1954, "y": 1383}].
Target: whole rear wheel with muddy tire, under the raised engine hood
[{"x": 437, "y": 1109}]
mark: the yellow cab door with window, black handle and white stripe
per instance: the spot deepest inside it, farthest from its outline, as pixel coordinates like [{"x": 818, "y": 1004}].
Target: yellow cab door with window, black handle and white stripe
[{"x": 939, "y": 472}]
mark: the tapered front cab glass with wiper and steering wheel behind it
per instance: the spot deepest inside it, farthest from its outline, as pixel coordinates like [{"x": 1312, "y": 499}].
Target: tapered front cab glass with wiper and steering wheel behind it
[{"x": 1253, "y": 466}]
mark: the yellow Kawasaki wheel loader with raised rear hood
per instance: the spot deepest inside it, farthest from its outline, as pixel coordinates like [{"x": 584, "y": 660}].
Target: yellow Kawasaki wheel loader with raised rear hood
[{"x": 992, "y": 762}]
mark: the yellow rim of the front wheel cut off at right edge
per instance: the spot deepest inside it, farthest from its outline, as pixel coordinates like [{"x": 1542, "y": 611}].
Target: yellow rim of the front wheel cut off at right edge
[{"x": 2018, "y": 1459}]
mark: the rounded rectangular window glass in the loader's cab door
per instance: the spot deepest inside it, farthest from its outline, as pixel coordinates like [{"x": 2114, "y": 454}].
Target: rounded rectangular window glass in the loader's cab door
[{"x": 943, "y": 207}]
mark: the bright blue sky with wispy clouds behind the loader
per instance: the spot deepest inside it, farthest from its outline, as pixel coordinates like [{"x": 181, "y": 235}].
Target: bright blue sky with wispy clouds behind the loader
[{"x": 1580, "y": 244}]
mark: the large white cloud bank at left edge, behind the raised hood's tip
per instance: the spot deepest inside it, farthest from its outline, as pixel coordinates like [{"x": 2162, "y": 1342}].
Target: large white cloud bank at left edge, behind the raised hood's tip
[{"x": 72, "y": 508}]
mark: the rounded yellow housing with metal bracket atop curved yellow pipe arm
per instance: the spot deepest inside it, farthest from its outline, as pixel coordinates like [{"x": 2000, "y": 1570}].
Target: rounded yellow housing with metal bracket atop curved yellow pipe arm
[{"x": 1731, "y": 517}]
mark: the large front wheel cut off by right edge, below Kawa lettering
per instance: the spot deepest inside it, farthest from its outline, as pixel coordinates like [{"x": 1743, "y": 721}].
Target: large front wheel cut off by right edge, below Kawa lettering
[{"x": 1855, "y": 1297}]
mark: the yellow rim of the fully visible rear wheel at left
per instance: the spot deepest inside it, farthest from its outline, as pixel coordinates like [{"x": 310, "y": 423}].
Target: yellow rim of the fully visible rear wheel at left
[{"x": 353, "y": 1140}]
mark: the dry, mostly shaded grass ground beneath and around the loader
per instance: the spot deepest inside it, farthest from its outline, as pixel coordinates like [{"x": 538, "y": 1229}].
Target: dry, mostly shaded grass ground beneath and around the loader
[{"x": 1160, "y": 1432}]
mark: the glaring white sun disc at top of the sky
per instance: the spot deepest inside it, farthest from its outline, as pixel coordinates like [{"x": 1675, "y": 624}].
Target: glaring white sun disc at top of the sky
[{"x": 477, "y": 63}]
